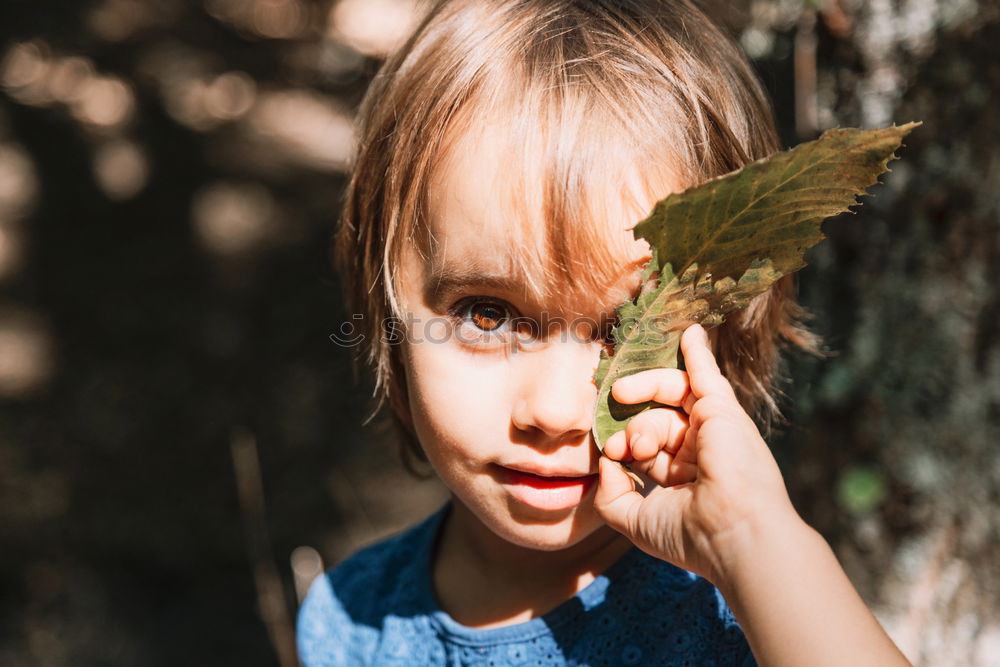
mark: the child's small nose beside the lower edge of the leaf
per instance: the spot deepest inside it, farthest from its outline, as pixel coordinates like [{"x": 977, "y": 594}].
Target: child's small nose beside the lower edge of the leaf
[{"x": 556, "y": 392}]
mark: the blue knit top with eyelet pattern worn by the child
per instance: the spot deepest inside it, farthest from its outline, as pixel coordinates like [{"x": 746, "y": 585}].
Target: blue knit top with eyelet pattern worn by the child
[{"x": 378, "y": 608}]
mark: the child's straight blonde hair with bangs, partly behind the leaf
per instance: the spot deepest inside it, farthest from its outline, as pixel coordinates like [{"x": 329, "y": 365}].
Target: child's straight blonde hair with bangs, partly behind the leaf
[{"x": 580, "y": 83}]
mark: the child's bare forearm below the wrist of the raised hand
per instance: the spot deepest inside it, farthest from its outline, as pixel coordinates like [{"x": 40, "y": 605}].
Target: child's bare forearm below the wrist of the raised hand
[{"x": 796, "y": 604}]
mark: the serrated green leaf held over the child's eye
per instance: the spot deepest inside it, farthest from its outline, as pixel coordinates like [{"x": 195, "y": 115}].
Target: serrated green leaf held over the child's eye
[{"x": 718, "y": 245}]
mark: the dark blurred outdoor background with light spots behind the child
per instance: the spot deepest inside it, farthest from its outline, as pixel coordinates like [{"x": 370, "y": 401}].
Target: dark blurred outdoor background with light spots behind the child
[{"x": 181, "y": 446}]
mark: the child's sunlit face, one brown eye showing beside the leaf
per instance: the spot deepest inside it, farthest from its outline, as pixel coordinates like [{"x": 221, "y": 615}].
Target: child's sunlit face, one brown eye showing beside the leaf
[{"x": 500, "y": 385}]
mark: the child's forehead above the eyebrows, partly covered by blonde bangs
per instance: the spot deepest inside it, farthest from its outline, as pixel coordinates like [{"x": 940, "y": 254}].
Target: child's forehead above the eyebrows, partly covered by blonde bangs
[{"x": 551, "y": 215}]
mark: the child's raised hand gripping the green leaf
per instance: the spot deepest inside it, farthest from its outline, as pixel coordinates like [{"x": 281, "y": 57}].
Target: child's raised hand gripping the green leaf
[{"x": 714, "y": 473}]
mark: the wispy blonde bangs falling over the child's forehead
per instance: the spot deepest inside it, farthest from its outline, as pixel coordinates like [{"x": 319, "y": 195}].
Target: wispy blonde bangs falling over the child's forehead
[{"x": 582, "y": 172}]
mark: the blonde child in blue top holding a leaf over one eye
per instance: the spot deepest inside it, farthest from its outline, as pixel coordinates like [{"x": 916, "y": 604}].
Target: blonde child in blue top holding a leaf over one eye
[{"x": 505, "y": 152}]
